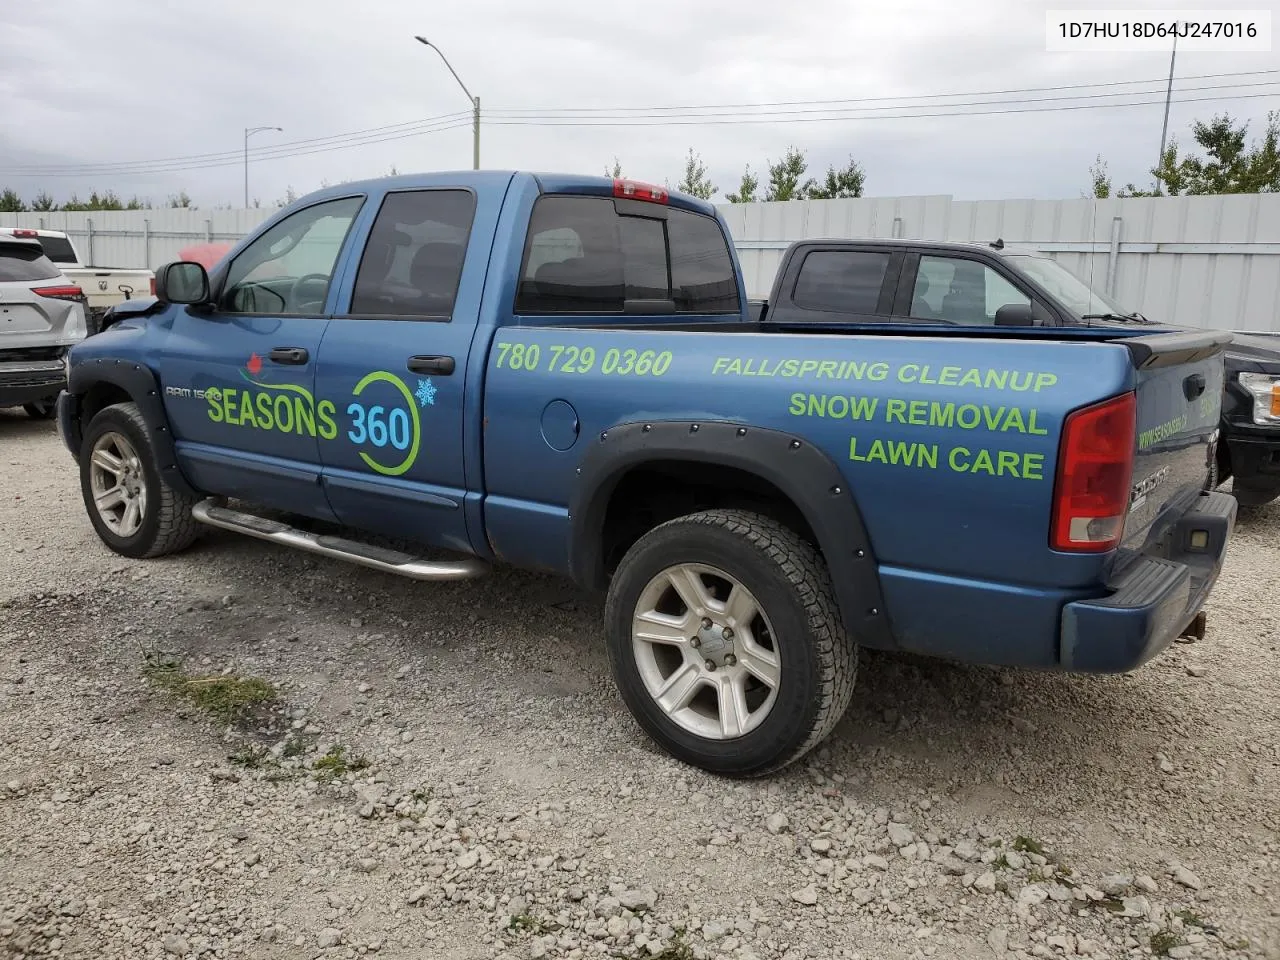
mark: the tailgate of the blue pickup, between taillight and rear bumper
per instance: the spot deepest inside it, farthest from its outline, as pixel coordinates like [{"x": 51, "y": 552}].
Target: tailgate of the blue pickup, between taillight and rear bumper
[{"x": 1180, "y": 394}]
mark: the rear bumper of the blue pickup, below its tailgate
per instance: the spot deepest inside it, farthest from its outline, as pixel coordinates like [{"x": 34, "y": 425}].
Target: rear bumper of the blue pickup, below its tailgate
[{"x": 1156, "y": 598}]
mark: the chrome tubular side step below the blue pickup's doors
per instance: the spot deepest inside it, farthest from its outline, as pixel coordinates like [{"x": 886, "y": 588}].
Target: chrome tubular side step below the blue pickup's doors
[{"x": 378, "y": 557}]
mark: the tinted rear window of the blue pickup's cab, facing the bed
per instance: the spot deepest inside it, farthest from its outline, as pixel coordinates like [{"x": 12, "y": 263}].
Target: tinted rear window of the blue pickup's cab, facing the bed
[{"x": 584, "y": 258}]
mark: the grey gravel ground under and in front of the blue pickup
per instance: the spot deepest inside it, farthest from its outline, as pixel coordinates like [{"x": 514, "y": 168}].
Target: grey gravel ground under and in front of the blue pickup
[{"x": 449, "y": 774}]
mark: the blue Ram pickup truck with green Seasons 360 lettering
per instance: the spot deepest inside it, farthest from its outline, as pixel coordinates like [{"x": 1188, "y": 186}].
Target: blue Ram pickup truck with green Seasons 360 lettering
[{"x": 563, "y": 373}]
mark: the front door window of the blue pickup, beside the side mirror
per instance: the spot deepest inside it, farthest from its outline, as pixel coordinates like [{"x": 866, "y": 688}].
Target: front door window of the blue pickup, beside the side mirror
[{"x": 287, "y": 271}]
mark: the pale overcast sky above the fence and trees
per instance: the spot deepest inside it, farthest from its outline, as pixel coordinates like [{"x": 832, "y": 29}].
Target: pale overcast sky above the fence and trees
[{"x": 112, "y": 81}]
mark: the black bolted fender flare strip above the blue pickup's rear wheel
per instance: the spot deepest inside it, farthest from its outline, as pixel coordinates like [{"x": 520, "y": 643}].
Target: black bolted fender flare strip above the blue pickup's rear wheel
[{"x": 802, "y": 472}]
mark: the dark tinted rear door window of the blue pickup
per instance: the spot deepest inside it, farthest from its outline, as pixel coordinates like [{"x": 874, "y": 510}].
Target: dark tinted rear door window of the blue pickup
[{"x": 414, "y": 258}]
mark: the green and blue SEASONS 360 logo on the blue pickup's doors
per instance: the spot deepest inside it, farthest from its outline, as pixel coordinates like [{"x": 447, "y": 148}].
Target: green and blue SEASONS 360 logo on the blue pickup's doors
[{"x": 388, "y": 435}]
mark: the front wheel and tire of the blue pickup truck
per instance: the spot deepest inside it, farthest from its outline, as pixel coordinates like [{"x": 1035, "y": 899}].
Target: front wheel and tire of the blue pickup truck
[{"x": 163, "y": 523}]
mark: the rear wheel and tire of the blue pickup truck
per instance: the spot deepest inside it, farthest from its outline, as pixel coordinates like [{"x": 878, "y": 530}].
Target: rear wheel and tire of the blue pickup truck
[{"x": 797, "y": 639}]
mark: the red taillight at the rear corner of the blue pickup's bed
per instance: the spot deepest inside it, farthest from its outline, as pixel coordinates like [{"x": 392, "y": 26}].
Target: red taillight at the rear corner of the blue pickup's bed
[{"x": 1095, "y": 469}]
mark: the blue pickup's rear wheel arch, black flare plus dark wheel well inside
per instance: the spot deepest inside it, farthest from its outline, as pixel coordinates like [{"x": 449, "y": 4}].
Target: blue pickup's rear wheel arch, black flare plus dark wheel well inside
[{"x": 744, "y": 468}]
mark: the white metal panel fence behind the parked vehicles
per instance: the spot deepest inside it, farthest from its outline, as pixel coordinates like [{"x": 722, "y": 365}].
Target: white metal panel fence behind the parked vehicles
[{"x": 1197, "y": 262}]
